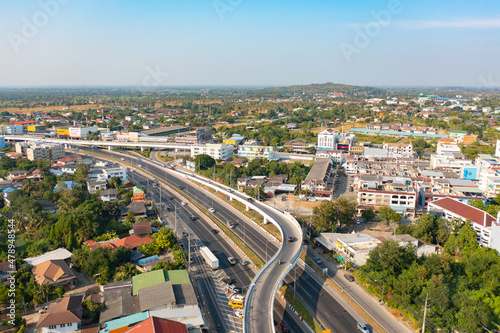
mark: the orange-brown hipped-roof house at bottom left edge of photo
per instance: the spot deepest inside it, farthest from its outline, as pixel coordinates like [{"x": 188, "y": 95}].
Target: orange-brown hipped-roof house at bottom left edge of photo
[{"x": 65, "y": 315}]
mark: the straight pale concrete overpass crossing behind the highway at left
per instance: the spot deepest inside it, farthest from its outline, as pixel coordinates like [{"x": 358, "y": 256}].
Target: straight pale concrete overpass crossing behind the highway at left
[{"x": 110, "y": 144}]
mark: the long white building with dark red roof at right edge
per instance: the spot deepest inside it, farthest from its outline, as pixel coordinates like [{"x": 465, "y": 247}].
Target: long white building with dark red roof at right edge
[{"x": 486, "y": 226}]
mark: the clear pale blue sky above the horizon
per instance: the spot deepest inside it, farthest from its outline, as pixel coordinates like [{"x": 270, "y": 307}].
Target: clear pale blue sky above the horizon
[{"x": 243, "y": 42}]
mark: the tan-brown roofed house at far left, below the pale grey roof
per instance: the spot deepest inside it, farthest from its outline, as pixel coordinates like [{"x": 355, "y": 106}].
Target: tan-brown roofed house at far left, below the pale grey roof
[{"x": 55, "y": 272}]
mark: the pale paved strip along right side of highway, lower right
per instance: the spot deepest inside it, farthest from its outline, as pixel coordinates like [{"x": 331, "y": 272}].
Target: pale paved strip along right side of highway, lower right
[{"x": 379, "y": 312}]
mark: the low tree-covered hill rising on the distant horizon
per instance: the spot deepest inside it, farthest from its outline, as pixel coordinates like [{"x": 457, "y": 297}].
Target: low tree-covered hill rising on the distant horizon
[{"x": 322, "y": 88}]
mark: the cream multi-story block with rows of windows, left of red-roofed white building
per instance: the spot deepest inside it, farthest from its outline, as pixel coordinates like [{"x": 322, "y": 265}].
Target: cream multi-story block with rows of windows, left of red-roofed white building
[{"x": 399, "y": 193}]
